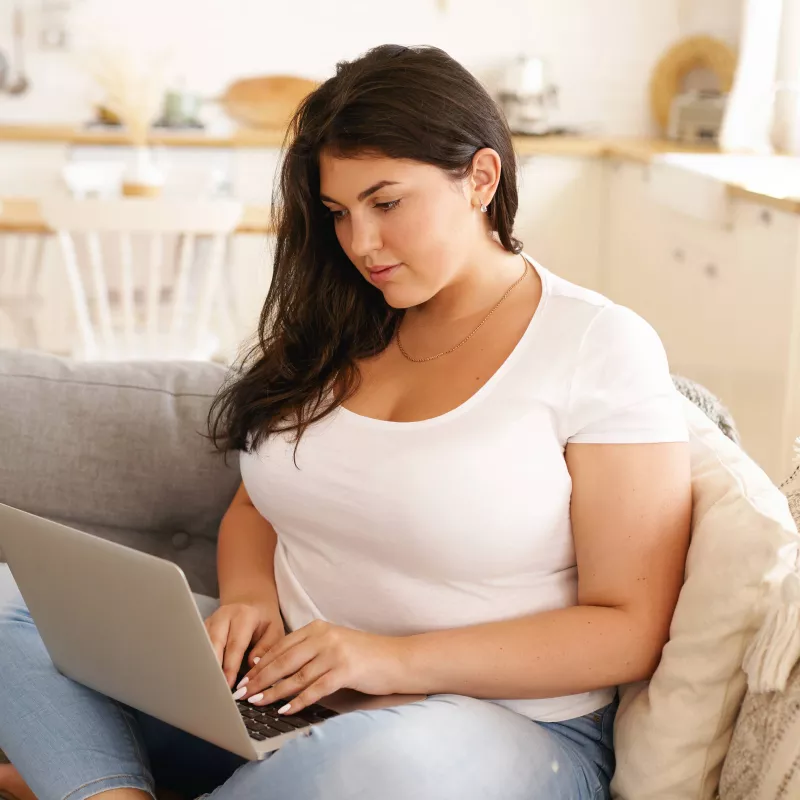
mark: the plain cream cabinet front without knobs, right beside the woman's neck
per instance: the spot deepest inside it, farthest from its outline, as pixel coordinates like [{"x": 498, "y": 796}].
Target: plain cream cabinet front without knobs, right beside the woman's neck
[{"x": 560, "y": 215}]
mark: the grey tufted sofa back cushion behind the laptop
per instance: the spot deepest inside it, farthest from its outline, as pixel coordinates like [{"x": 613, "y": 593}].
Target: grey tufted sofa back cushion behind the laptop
[{"x": 116, "y": 448}]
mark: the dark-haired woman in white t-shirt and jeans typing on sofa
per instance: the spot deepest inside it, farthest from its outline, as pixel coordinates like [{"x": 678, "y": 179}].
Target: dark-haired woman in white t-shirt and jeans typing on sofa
[{"x": 463, "y": 476}]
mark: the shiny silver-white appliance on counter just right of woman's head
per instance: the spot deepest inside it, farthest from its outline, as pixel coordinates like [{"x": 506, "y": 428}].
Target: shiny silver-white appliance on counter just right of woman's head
[{"x": 526, "y": 95}]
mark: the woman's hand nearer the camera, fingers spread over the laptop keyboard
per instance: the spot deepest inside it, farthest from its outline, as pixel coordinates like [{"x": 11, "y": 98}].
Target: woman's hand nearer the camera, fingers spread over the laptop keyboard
[{"x": 319, "y": 659}]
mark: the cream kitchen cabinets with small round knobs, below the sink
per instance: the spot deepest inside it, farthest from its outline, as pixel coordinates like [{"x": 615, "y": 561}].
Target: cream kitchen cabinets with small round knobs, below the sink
[{"x": 720, "y": 296}]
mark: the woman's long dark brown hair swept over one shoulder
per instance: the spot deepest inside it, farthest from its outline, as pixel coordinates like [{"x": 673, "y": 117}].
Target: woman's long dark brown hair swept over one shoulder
[{"x": 320, "y": 316}]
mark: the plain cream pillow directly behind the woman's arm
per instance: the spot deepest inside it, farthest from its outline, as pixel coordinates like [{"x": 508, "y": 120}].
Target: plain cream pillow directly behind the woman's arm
[{"x": 673, "y": 733}]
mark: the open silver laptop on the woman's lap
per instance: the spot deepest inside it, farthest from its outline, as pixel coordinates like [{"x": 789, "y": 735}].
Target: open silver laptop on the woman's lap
[{"x": 125, "y": 624}]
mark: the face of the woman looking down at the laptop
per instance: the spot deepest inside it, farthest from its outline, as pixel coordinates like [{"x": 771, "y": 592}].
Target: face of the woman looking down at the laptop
[{"x": 406, "y": 226}]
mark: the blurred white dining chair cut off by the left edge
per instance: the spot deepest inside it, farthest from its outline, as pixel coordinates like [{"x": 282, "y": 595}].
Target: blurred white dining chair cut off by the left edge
[{"x": 21, "y": 257}]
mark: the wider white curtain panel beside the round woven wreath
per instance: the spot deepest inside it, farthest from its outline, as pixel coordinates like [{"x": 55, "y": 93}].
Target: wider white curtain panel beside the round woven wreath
[{"x": 750, "y": 115}]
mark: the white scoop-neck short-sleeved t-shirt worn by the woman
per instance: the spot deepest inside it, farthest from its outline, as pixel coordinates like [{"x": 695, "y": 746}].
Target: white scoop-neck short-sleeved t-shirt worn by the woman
[{"x": 398, "y": 528}]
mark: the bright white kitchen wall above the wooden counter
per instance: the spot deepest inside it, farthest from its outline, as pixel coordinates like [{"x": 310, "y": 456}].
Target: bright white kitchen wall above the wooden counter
[{"x": 602, "y": 51}]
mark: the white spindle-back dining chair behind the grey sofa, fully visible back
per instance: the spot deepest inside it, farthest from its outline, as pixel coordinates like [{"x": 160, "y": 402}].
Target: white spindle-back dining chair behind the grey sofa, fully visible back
[{"x": 144, "y": 274}]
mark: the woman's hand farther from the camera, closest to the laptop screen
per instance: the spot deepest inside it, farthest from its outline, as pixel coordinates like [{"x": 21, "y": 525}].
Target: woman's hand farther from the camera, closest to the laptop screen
[{"x": 233, "y": 627}]
